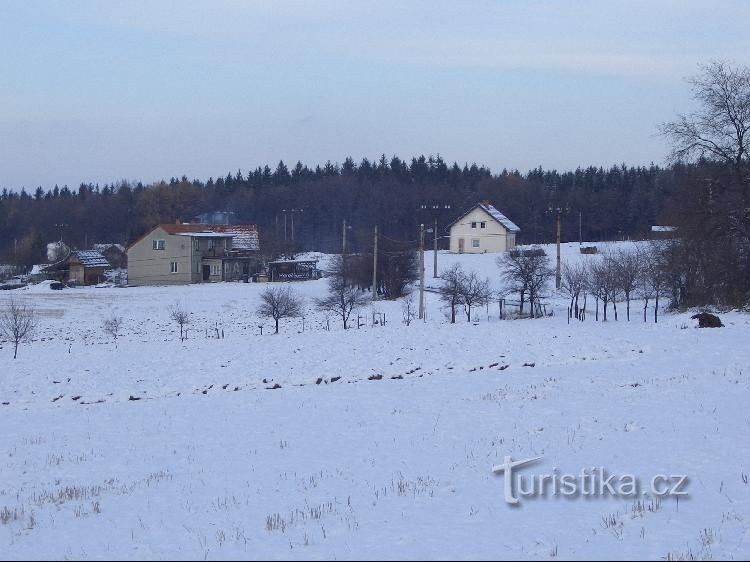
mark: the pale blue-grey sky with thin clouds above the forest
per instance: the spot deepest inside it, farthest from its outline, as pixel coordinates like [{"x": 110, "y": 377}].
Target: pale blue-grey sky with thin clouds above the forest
[{"x": 145, "y": 90}]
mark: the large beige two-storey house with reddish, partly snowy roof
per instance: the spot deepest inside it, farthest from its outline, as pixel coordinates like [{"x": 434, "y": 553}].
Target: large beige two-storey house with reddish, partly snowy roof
[{"x": 177, "y": 254}]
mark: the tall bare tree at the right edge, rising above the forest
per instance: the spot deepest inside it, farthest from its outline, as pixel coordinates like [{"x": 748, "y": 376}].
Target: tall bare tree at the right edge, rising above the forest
[{"x": 709, "y": 265}]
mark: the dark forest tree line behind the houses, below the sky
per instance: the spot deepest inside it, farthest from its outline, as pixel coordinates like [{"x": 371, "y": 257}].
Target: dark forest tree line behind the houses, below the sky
[{"x": 304, "y": 208}]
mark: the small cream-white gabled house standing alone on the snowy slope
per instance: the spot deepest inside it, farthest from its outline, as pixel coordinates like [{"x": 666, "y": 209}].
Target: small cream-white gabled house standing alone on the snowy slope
[{"x": 482, "y": 229}]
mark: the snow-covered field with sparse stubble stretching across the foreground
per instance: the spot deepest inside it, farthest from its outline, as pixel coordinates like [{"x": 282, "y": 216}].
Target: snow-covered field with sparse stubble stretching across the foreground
[{"x": 374, "y": 442}]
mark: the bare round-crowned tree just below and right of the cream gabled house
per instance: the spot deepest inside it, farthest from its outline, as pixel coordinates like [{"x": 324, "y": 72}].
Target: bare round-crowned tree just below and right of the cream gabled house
[{"x": 526, "y": 272}]
